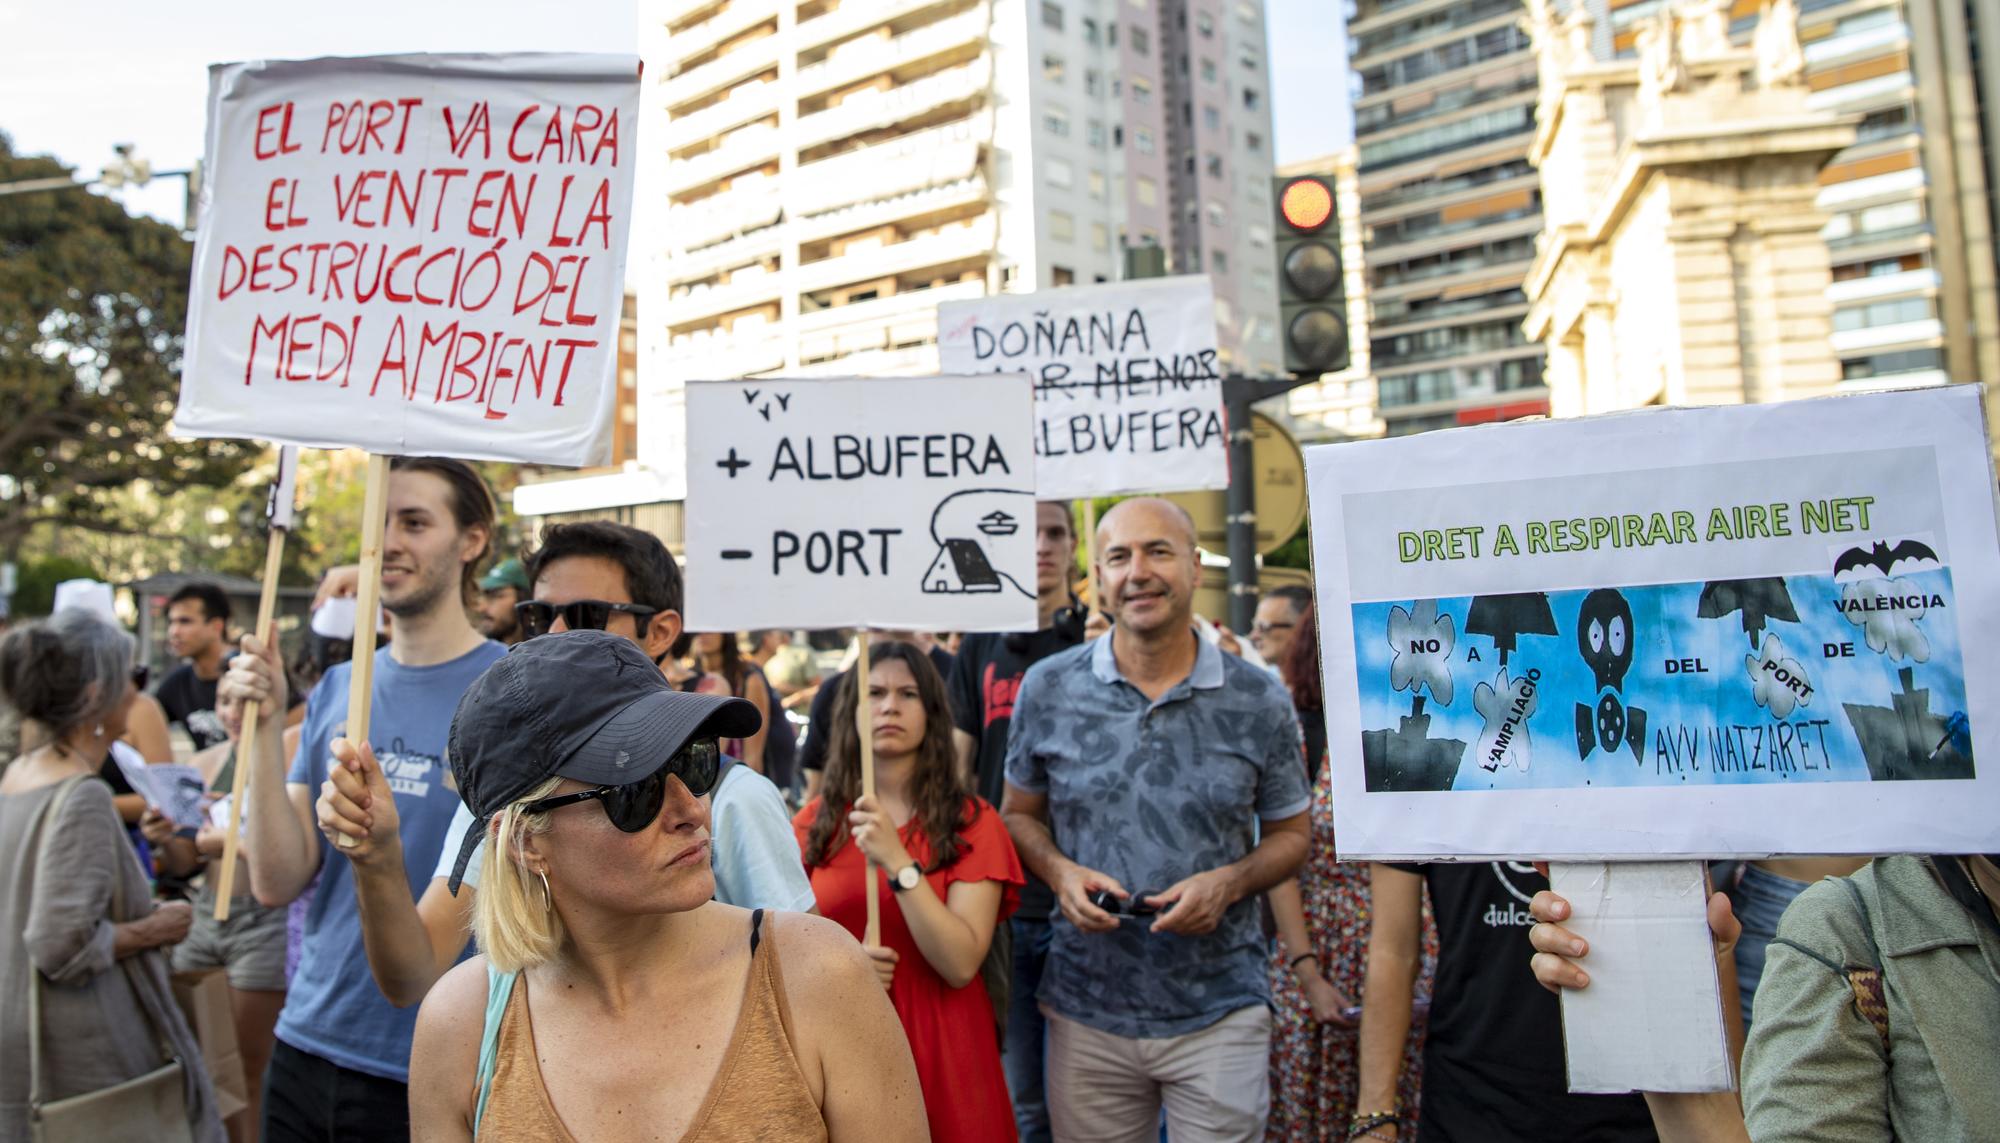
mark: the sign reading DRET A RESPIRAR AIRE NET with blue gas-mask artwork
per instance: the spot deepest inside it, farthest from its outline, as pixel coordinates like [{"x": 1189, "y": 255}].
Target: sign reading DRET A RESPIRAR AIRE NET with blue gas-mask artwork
[{"x": 1705, "y": 632}]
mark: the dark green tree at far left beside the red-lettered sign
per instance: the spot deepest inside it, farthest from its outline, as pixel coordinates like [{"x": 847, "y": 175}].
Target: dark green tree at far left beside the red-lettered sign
[{"x": 93, "y": 317}]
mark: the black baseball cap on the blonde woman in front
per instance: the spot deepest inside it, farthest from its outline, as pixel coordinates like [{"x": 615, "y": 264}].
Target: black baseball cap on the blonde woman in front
[{"x": 587, "y": 706}]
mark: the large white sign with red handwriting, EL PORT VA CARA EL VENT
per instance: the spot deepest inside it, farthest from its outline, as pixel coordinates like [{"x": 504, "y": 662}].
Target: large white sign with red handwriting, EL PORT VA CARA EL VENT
[{"x": 413, "y": 255}]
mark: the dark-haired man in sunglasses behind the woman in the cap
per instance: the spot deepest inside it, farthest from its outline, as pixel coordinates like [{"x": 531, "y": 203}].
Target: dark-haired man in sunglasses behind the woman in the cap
[{"x": 587, "y": 576}]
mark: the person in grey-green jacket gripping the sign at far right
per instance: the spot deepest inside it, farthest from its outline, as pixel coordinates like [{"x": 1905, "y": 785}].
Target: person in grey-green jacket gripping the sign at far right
[{"x": 1879, "y": 1014}]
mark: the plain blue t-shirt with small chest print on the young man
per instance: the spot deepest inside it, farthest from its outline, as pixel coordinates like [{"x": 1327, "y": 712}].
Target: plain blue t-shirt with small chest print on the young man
[{"x": 335, "y": 1008}]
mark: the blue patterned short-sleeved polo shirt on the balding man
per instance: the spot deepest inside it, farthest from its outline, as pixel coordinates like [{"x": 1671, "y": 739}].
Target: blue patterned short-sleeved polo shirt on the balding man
[{"x": 1153, "y": 792}]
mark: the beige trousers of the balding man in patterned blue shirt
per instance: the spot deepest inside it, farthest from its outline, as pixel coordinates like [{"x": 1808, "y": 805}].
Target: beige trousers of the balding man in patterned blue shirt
[{"x": 1215, "y": 1084}]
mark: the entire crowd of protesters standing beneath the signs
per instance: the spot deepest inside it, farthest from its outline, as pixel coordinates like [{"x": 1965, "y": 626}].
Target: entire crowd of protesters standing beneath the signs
[{"x": 593, "y": 876}]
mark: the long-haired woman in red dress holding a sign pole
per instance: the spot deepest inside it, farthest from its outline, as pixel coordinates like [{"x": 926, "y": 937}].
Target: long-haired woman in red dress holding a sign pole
[{"x": 947, "y": 876}]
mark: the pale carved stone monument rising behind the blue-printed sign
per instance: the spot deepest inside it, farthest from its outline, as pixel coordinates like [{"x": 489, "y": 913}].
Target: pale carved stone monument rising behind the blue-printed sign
[{"x": 1681, "y": 259}]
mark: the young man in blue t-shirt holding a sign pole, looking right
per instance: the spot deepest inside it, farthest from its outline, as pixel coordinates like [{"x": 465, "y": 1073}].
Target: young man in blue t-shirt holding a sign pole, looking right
[{"x": 343, "y": 1056}]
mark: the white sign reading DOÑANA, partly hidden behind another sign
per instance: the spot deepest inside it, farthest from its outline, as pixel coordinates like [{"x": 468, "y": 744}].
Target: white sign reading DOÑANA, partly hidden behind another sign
[{"x": 1127, "y": 385}]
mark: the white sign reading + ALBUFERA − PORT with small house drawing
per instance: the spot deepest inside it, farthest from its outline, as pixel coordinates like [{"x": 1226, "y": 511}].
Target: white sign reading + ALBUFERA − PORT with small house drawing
[{"x": 889, "y": 503}]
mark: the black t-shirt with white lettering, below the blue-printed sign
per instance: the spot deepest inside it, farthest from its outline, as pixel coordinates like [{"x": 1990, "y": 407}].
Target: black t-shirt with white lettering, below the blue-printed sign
[{"x": 1493, "y": 1056}]
